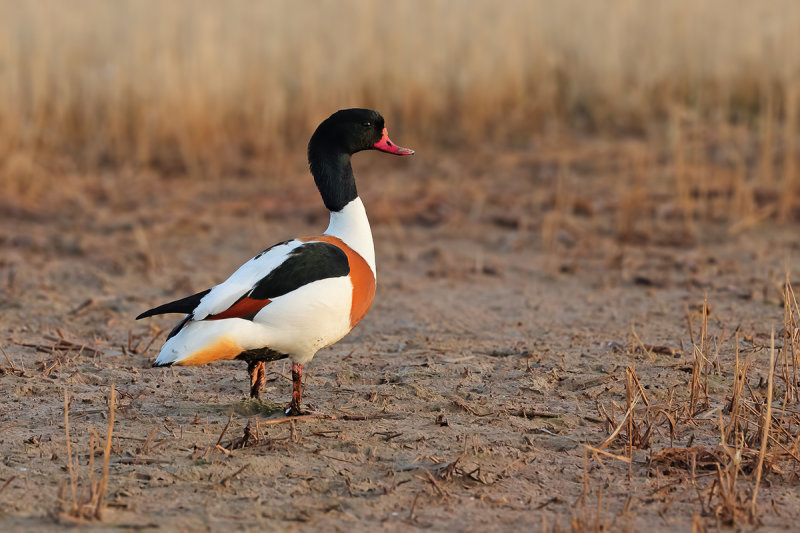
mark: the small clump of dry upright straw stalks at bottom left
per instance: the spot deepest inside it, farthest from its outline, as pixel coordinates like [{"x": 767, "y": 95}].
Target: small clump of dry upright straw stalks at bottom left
[{"x": 86, "y": 505}]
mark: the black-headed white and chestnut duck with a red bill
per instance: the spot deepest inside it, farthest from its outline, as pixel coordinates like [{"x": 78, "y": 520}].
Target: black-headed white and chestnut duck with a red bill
[{"x": 300, "y": 295}]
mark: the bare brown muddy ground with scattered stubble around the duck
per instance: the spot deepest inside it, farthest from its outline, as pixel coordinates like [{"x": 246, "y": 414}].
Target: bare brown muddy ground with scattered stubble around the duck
[{"x": 507, "y": 329}]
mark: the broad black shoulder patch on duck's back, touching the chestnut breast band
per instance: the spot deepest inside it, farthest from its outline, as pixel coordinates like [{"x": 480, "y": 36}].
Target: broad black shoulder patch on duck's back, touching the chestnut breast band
[{"x": 307, "y": 263}]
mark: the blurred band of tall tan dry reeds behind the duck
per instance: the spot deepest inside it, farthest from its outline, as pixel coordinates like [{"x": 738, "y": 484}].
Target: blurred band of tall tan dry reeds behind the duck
[{"x": 213, "y": 88}]
